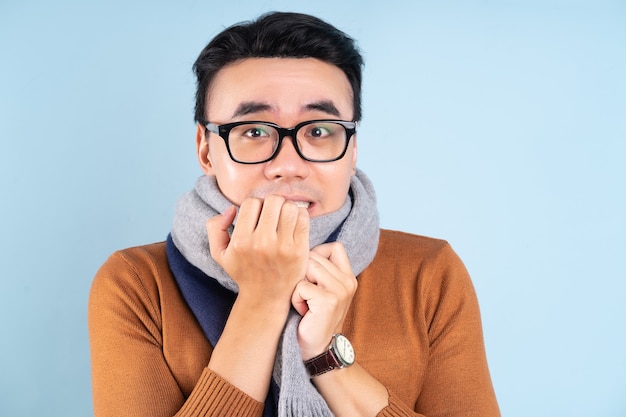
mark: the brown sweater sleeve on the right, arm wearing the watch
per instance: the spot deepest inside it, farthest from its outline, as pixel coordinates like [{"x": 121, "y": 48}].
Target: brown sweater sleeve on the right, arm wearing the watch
[{"x": 456, "y": 381}]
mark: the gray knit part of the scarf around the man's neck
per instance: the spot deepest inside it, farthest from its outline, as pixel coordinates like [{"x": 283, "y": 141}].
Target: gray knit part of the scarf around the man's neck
[{"x": 359, "y": 233}]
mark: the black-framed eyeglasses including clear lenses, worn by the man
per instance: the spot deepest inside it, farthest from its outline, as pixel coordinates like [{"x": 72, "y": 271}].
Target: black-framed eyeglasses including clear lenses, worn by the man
[{"x": 252, "y": 142}]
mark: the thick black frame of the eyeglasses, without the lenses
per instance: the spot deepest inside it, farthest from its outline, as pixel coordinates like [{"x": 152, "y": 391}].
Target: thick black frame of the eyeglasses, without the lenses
[{"x": 223, "y": 131}]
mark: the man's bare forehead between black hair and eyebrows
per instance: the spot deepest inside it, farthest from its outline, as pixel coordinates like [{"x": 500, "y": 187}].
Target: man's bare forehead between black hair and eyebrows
[{"x": 282, "y": 85}]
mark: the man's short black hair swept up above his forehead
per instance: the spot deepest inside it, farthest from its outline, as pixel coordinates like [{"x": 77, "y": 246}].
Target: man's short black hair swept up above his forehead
[{"x": 279, "y": 35}]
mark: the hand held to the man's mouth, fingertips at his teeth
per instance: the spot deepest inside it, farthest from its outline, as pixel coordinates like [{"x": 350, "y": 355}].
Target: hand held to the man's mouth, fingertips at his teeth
[{"x": 269, "y": 248}]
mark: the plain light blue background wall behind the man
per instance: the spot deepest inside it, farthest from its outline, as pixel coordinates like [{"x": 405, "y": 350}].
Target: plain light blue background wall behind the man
[{"x": 497, "y": 125}]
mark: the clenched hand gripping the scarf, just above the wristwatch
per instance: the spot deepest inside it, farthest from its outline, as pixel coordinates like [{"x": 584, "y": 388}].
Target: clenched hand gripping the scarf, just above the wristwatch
[{"x": 323, "y": 297}]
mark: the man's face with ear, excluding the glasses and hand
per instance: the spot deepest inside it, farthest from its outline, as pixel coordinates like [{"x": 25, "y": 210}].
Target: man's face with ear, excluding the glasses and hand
[{"x": 285, "y": 91}]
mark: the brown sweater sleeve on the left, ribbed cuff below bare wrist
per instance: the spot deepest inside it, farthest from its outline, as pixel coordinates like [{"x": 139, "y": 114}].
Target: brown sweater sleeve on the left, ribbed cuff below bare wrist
[{"x": 130, "y": 373}]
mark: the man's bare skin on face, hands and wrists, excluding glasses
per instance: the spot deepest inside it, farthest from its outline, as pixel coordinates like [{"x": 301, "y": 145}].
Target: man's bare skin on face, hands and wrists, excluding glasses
[{"x": 268, "y": 254}]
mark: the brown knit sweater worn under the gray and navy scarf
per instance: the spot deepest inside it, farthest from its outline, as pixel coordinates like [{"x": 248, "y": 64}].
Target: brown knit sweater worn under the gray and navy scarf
[{"x": 414, "y": 323}]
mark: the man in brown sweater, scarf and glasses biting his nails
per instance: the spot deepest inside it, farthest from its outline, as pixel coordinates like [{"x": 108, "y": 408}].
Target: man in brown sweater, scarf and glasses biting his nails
[{"x": 276, "y": 292}]
